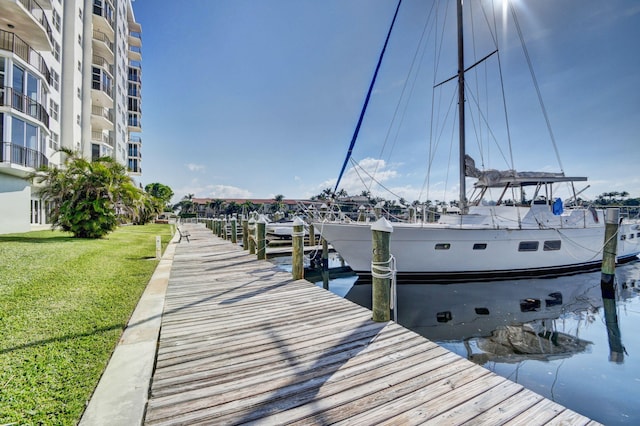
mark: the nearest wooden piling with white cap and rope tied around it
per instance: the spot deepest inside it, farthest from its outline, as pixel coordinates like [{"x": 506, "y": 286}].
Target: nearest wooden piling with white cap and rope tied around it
[{"x": 381, "y": 294}]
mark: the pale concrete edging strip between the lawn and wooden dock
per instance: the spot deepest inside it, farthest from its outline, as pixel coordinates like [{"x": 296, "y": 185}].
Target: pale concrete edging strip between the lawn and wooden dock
[{"x": 122, "y": 392}]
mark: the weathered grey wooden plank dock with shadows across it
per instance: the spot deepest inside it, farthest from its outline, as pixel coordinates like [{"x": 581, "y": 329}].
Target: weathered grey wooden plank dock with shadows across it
[{"x": 242, "y": 342}]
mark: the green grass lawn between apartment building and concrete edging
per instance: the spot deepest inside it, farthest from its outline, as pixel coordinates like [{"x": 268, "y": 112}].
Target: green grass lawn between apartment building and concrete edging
[{"x": 63, "y": 305}]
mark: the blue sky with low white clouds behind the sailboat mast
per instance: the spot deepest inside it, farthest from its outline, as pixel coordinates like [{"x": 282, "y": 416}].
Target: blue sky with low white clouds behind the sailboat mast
[{"x": 253, "y": 98}]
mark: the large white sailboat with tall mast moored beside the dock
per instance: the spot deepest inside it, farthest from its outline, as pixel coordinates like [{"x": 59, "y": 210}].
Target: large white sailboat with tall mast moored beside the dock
[{"x": 485, "y": 242}]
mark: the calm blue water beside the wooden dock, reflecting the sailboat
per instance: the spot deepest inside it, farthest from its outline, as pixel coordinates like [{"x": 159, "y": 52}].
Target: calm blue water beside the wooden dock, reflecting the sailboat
[{"x": 558, "y": 337}]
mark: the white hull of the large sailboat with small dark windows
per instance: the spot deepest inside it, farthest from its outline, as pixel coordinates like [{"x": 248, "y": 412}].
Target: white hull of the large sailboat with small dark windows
[{"x": 448, "y": 252}]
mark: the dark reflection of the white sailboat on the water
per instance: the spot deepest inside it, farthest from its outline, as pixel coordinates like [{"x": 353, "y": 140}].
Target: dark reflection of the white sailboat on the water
[{"x": 512, "y": 321}]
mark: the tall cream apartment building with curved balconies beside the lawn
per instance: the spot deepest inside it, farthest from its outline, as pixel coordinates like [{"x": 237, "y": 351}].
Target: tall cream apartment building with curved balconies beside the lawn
[{"x": 70, "y": 77}]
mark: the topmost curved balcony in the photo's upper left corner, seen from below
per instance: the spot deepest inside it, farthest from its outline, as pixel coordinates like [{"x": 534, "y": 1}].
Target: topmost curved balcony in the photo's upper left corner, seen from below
[{"x": 27, "y": 19}]
